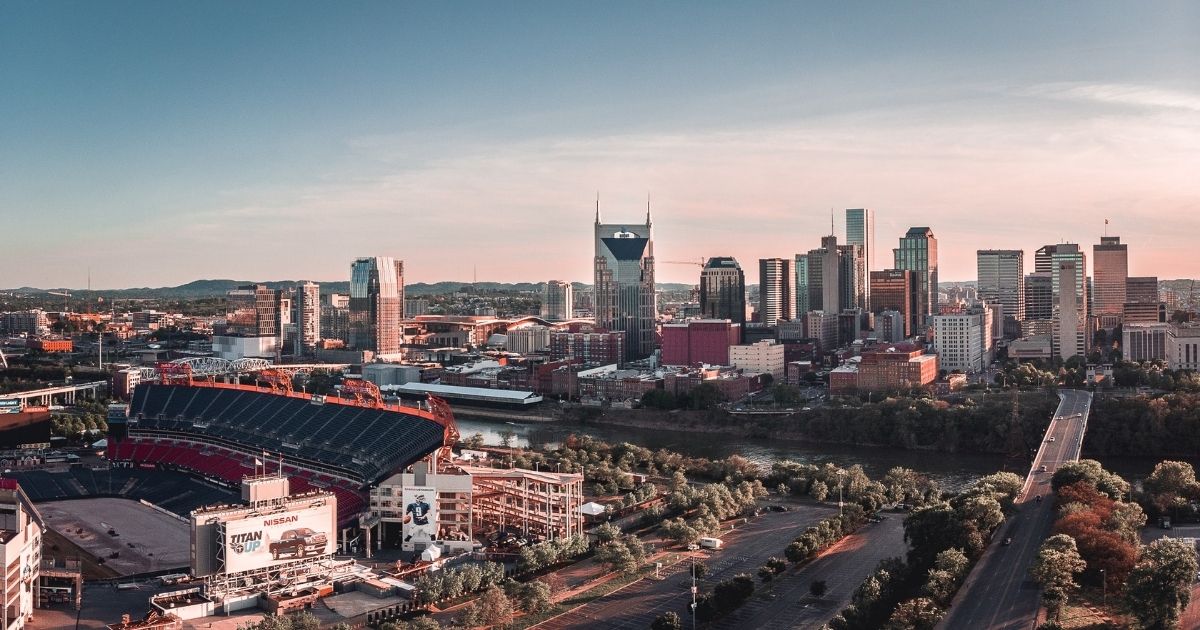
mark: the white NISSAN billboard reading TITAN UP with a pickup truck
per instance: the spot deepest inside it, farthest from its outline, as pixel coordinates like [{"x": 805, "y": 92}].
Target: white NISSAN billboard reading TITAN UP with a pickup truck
[{"x": 268, "y": 541}]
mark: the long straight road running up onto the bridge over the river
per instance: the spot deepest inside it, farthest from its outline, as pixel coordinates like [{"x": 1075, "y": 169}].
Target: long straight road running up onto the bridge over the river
[{"x": 1000, "y": 595}]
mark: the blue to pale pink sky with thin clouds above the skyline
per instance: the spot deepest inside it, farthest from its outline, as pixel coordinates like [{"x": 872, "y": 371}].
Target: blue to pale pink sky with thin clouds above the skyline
[{"x": 157, "y": 143}]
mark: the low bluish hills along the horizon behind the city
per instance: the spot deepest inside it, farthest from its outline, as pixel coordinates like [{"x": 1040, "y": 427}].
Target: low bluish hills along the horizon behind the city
[{"x": 217, "y": 289}]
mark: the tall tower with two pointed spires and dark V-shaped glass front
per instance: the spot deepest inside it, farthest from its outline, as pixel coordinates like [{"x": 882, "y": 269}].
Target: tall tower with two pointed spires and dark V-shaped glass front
[{"x": 626, "y": 298}]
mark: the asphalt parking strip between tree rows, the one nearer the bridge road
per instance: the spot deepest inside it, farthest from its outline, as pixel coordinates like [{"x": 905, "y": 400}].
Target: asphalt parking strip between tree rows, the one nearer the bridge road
[{"x": 844, "y": 568}]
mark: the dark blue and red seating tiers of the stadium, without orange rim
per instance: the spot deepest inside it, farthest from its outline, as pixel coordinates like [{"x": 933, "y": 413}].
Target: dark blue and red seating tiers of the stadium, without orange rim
[{"x": 219, "y": 433}]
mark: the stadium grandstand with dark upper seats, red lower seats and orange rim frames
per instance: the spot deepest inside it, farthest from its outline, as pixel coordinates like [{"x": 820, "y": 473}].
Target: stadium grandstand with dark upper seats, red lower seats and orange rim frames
[{"x": 229, "y": 431}]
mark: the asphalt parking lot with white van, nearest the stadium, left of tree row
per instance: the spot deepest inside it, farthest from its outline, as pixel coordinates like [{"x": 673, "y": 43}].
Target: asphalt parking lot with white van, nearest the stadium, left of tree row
[{"x": 746, "y": 549}]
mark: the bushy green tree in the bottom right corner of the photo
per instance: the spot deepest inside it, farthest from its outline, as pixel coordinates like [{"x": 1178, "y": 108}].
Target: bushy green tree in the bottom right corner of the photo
[{"x": 1160, "y": 586}]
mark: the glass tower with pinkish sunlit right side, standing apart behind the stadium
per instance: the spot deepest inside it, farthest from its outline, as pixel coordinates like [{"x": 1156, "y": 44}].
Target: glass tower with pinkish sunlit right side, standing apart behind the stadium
[{"x": 377, "y": 304}]
